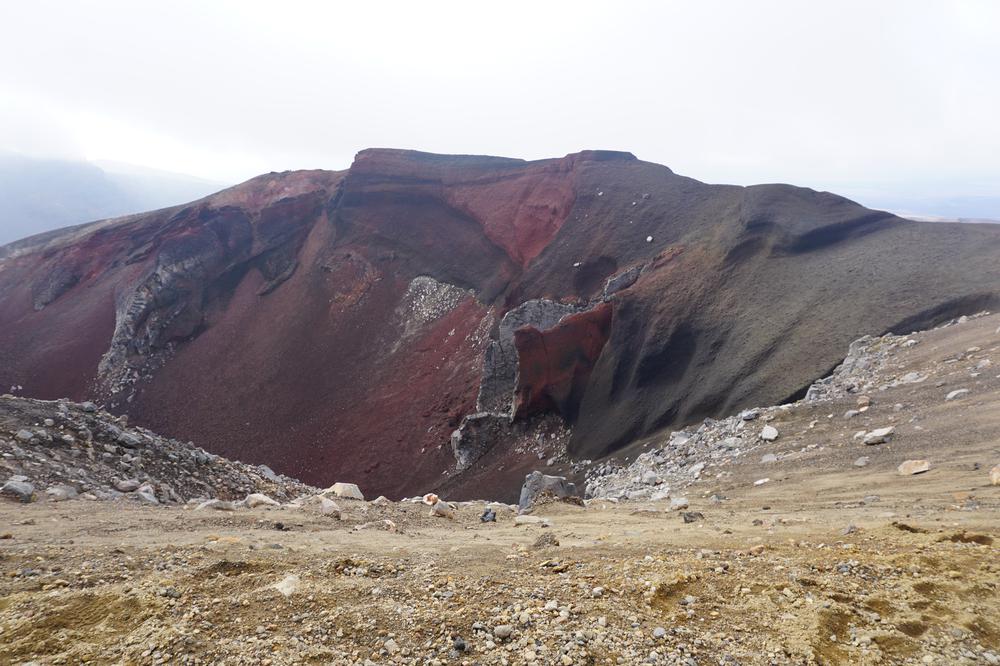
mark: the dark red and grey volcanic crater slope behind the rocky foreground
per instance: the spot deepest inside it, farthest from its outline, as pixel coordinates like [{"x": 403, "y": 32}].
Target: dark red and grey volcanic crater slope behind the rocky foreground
[{"x": 345, "y": 324}]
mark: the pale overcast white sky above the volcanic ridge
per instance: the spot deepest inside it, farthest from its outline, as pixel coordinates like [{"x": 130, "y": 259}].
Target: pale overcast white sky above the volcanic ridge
[{"x": 834, "y": 95}]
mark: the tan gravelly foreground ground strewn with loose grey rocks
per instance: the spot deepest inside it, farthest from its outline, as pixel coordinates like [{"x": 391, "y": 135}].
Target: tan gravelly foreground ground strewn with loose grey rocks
[{"x": 856, "y": 526}]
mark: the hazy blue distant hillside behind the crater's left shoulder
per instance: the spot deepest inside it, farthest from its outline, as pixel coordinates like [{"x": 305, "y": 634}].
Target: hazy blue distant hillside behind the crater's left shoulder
[{"x": 38, "y": 195}]
